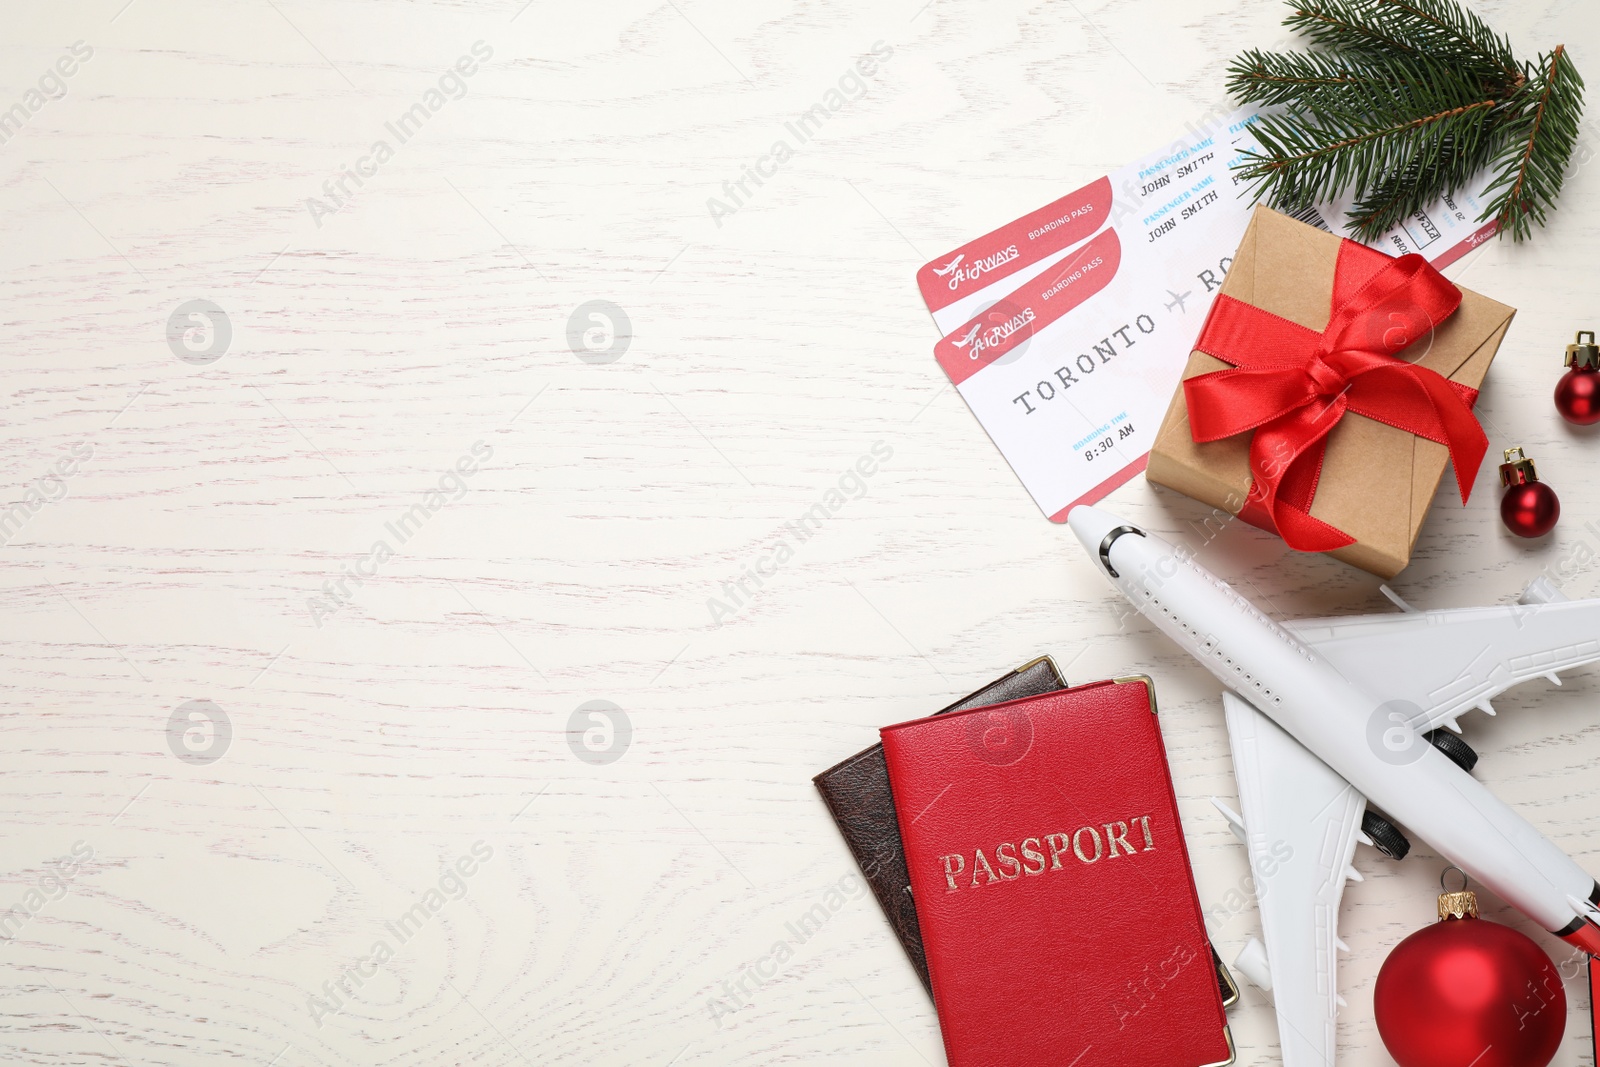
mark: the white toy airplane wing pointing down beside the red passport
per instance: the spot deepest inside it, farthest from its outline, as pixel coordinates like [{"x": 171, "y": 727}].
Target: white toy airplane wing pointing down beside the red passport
[{"x": 1302, "y": 825}]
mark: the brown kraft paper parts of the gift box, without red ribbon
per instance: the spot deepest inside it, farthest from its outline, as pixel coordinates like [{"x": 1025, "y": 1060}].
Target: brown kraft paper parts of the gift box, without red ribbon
[{"x": 1377, "y": 481}]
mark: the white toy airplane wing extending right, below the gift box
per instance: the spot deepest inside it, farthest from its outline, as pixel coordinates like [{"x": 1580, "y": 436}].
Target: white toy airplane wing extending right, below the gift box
[{"x": 1433, "y": 666}]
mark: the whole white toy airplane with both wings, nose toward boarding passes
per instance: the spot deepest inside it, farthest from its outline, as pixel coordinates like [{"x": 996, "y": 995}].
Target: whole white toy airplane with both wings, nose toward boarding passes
[{"x": 1330, "y": 716}]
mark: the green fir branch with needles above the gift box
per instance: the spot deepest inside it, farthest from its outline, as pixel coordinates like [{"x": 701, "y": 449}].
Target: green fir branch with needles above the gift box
[{"x": 1406, "y": 102}]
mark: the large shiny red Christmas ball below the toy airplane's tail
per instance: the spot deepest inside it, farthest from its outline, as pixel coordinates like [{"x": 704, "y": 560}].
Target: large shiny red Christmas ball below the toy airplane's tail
[{"x": 1468, "y": 991}]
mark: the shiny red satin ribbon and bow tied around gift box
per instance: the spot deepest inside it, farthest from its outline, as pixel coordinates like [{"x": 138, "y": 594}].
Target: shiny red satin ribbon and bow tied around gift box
[{"x": 1292, "y": 386}]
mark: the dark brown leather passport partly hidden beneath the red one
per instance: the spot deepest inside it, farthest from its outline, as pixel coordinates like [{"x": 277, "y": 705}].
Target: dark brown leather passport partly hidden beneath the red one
[{"x": 858, "y": 797}]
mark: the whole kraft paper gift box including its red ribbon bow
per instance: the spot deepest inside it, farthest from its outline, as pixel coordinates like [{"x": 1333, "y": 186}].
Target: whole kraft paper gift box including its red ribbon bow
[{"x": 1327, "y": 393}]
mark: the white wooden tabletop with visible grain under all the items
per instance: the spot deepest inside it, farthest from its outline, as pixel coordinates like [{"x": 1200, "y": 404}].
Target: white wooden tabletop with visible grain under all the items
[{"x": 186, "y": 890}]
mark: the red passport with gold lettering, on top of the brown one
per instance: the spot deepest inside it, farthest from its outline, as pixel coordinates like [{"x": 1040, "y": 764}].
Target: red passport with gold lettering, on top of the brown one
[{"x": 1054, "y": 887}]
